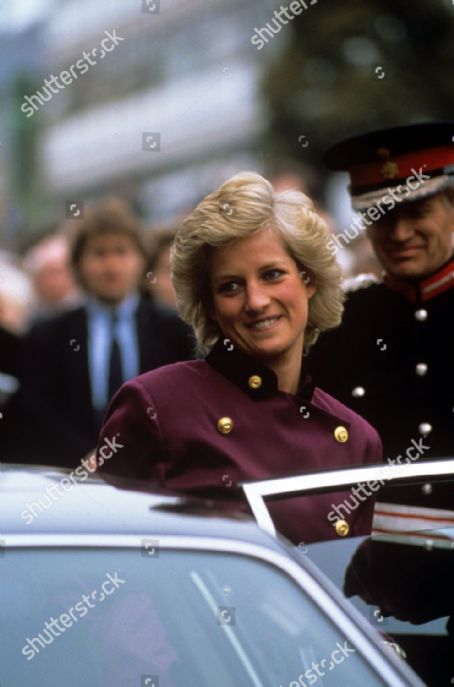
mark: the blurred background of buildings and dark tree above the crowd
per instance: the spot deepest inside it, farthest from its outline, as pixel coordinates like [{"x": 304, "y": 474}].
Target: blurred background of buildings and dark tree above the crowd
[{"x": 193, "y": 92}]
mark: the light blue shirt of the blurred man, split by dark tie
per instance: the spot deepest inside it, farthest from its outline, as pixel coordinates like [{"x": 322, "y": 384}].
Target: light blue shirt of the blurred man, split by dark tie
[{"x": 99, "y": 322}]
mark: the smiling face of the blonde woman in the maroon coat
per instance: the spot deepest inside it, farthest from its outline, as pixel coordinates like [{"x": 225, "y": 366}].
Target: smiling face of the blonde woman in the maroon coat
[{"x": 259, "y": 298}]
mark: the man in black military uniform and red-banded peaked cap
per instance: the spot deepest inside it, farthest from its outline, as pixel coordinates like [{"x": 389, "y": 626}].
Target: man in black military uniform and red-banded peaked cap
[{"x": 392, "y": 359}]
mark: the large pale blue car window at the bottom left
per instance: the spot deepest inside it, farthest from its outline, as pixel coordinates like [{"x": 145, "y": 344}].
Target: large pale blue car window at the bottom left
[{"x": 164, "y": 618}]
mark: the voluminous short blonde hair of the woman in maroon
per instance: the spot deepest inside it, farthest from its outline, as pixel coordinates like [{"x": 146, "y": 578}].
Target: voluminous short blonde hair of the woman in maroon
[{"x": 242, "y": 206}]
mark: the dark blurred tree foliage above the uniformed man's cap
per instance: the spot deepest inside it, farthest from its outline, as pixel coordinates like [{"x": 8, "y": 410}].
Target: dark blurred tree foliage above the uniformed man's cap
[{"x": 326, "y": 83}]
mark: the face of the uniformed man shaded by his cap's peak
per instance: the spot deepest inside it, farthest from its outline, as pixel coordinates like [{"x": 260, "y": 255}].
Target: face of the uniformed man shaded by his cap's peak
[{"x": 414, "y": 239}]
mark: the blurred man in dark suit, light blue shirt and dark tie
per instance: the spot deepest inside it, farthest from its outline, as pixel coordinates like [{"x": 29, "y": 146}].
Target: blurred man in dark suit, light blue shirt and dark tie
[{"x": 74, "y": 362}]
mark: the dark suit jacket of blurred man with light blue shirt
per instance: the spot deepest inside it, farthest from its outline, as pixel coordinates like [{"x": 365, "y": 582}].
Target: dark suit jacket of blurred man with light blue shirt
[{"x": 56, "y": 396}]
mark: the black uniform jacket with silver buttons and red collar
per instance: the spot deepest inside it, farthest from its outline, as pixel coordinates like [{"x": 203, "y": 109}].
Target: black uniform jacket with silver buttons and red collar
[{"x": 392, "y": 360}]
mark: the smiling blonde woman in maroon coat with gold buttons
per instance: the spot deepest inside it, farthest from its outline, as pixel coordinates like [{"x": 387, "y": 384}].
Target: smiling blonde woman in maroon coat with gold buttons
[{"x": 256, "y": 280}]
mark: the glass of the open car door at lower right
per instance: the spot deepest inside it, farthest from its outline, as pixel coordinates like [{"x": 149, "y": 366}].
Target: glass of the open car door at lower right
[{"x": 402, "y": 584}]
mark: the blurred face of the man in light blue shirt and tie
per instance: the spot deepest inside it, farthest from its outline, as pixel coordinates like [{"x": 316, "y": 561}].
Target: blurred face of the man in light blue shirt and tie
[{"x": 111, "y": 267}]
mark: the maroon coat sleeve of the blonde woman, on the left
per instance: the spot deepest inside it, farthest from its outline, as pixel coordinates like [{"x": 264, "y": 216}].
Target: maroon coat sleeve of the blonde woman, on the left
[{"x": 130, "y": 442}]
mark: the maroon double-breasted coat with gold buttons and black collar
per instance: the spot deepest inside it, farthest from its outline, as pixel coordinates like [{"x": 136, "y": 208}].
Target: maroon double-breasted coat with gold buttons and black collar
[{"x": 164, "y": 427}]
